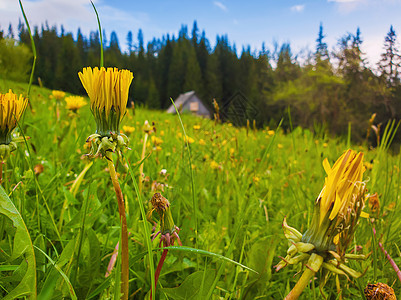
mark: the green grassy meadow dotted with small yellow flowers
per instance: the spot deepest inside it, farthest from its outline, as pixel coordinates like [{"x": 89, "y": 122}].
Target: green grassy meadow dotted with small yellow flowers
[{"x": 245, "y": 181}]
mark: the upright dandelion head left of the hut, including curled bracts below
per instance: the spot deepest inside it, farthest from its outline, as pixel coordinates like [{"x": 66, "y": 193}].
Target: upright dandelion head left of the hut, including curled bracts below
[{"x": 108, "y": 93}]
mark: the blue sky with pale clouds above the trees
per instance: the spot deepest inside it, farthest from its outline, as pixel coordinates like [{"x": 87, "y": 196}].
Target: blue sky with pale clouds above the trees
[{"x": 249, "y": 22}]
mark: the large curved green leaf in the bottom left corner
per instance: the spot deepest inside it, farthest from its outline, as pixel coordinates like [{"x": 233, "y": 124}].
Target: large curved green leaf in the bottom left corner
[{"x": 22, "y": 248}]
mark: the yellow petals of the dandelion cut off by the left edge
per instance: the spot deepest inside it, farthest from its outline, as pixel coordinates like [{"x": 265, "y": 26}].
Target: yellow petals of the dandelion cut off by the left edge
[{"x": 11, "y": 110}]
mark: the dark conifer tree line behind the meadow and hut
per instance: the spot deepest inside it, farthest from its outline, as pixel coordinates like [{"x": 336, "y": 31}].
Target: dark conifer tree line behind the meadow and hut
[{"x": 326, "y": 90}]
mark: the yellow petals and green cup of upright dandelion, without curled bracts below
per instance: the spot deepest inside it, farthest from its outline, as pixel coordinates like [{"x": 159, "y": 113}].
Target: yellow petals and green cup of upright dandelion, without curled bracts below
[{"x": 108, "y": 93}]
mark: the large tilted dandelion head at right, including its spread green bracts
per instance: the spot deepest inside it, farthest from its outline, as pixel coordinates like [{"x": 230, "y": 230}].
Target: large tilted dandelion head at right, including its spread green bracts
[{"x": 336, "y": 213}]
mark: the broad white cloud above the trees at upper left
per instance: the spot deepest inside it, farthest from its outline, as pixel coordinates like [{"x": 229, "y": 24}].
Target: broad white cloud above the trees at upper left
[{"x": 72, "y": 14}]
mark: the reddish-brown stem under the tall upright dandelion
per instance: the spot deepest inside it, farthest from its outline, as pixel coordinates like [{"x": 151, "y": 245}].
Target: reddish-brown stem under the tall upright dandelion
[{"x": 124, "y": 231}]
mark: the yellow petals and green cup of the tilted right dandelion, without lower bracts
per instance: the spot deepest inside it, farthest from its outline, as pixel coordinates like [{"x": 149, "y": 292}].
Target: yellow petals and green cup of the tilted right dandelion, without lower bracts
[{"x": 339, "y": 204}]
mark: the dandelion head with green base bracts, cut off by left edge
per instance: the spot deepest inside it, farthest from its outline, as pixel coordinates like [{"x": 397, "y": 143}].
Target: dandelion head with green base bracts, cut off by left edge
[{"x": 11, "y": 109}]
